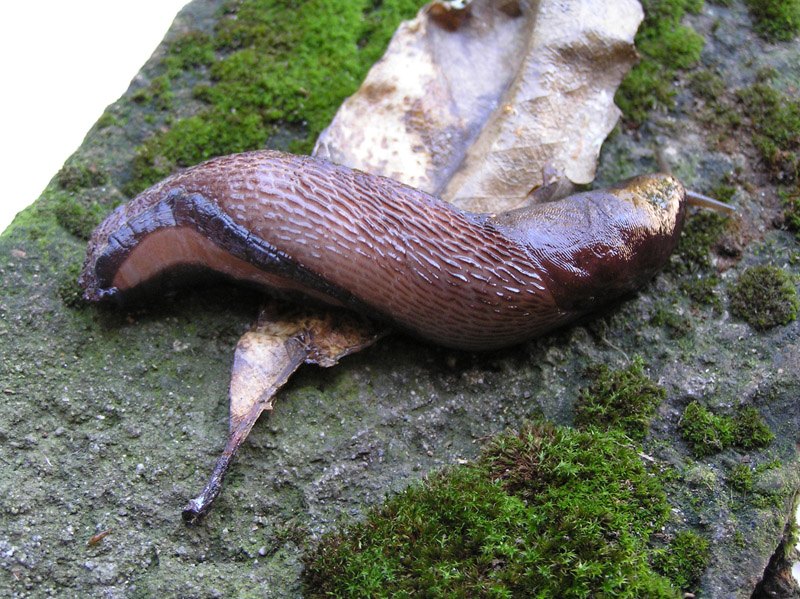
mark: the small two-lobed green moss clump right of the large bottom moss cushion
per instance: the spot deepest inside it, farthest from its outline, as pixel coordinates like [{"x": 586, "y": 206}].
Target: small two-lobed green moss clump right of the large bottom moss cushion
[{"x": 708, "y": 433}]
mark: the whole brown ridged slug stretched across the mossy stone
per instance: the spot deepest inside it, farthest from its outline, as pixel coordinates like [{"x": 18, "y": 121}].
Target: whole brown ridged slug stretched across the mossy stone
[{"x": 472, "y": 281}]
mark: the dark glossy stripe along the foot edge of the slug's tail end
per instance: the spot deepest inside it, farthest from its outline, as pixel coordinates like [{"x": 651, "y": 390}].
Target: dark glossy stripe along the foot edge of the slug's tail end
[{"x": 204, "y": 215}]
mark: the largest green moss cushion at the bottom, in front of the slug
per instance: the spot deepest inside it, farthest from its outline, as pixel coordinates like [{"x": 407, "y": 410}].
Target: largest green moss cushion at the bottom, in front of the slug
[{"x": 547, "y": 512}]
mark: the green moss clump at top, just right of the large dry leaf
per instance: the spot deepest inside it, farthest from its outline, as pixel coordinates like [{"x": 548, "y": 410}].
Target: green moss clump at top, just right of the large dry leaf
[{"x": 666, "y": 46}]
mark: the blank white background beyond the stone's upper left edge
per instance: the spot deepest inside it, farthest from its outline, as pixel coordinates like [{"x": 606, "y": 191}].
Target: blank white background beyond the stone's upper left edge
[{"x": 61, "y": 63}]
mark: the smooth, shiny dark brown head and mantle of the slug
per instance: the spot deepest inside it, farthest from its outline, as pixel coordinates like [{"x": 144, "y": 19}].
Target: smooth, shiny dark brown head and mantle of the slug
[{"x": 597, "y": 246}]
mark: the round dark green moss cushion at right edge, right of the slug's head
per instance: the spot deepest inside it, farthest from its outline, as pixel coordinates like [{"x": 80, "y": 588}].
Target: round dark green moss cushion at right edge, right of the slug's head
[{"x": 765, "y": 297}]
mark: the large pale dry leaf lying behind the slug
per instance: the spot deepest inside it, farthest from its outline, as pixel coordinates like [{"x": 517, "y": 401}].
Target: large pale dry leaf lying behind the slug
[{"x": 471, "y": 107}]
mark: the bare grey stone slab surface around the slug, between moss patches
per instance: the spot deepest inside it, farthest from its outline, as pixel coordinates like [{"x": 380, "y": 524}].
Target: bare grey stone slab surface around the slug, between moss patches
[{"x": 112, "y": 418}]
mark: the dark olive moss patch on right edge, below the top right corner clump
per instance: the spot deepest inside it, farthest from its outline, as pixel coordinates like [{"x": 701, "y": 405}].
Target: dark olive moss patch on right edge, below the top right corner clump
[{"x": 775, "y": 122}]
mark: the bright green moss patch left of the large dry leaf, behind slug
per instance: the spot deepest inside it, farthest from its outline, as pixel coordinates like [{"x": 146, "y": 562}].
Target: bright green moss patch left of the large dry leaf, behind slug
[{"x": 270, "y": 69}]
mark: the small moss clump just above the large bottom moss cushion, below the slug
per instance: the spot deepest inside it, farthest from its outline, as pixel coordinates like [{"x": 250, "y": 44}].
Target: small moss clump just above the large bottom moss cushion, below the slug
[{"x": 619, "y": 399}]
